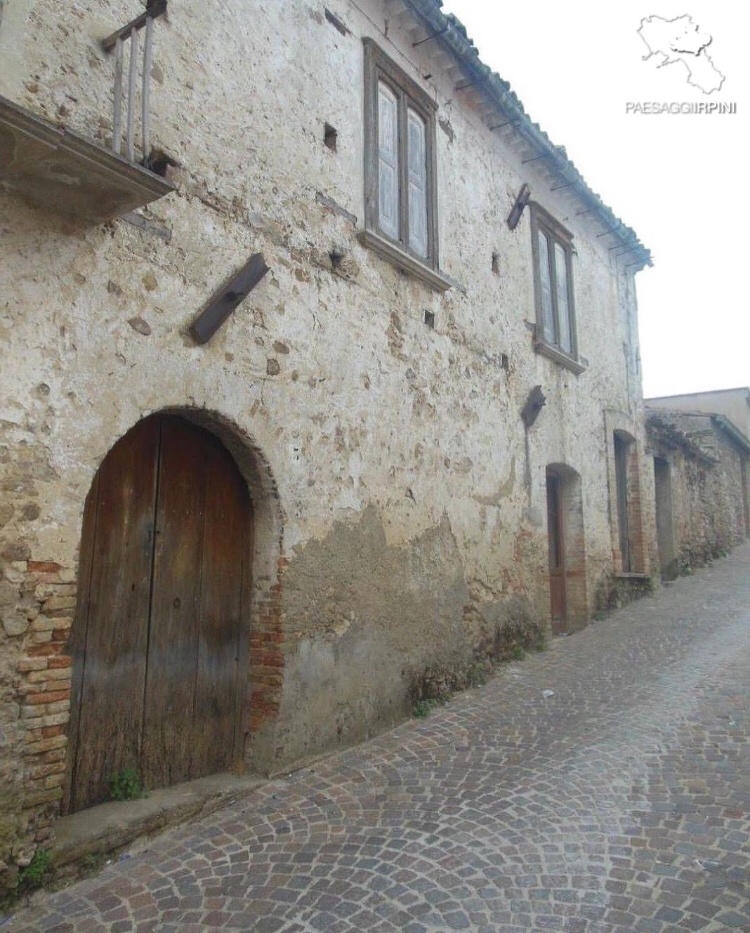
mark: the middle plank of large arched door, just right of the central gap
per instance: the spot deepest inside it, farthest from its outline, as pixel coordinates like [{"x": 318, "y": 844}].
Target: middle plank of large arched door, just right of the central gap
[{"x": 175, "y": 610}]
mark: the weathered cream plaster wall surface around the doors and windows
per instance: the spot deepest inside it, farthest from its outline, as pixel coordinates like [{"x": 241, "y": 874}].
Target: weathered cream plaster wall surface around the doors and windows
[{"x": 403, "y": 503}]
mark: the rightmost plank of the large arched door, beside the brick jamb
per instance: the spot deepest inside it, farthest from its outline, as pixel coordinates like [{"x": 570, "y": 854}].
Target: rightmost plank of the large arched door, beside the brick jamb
[{"x": 227, "y": 548}]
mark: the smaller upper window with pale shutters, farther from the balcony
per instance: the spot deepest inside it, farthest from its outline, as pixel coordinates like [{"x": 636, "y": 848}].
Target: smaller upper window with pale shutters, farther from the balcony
[{"x": 553, "y": 284}]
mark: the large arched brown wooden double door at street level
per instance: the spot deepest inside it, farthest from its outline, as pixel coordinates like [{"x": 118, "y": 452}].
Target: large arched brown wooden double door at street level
[{"x": 159, "y": 641}]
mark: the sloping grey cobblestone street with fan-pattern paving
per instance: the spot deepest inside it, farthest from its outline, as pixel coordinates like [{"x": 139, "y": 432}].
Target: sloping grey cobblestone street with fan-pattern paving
[{"x": 601, "y": 786}]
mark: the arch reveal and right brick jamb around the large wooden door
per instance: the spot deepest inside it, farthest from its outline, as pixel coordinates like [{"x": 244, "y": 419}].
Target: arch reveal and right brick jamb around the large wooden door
[{"x": 260, "y": 612}]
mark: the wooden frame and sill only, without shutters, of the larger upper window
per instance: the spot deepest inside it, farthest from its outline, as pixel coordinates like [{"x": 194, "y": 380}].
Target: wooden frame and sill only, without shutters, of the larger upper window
[{"x": 409, "y": 96}]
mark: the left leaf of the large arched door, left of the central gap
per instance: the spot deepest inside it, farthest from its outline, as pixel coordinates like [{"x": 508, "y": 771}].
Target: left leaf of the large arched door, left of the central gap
[{"x": 111, "y": 629}]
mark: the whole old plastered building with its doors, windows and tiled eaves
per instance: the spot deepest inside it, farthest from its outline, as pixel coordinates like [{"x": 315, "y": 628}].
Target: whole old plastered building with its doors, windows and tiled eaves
[{"x": 414, "y": 442}]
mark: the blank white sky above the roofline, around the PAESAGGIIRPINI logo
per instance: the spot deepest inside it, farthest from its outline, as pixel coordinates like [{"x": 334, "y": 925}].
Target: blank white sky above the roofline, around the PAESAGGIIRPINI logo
[{"x": 679, "y": 181}]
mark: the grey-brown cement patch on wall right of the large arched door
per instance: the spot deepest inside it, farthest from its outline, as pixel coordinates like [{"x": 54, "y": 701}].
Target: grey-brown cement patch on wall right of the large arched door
[{"x": 361, "y": 618}]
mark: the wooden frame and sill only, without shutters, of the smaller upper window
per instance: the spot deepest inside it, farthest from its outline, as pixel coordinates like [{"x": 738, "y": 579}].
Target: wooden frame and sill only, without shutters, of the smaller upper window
[{"x": 543, "y": 223}]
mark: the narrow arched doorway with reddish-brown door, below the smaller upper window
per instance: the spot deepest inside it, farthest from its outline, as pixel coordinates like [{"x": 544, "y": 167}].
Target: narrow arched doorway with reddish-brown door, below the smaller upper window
[{"x": 567, "y": 548}]
